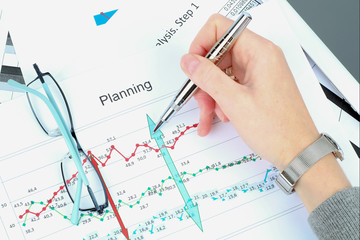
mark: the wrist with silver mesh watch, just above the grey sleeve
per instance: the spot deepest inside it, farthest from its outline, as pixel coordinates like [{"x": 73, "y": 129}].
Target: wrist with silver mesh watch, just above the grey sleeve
[{"x": 315, "y": 173}]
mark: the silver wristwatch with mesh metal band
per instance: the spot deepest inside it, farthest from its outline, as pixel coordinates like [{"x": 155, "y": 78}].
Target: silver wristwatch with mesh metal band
[{"x": 287, "y": 179}]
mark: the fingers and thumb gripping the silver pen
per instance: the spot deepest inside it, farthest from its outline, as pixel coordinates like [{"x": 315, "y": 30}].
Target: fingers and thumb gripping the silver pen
[{"x": 220, "y": 88}]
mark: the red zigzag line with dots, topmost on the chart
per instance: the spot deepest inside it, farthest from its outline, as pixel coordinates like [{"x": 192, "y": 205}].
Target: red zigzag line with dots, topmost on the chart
[{"x": 103, "y": 164}]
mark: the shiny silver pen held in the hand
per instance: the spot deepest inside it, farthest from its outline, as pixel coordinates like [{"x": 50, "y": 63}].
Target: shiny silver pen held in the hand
[{"x": 216, "y": 54}]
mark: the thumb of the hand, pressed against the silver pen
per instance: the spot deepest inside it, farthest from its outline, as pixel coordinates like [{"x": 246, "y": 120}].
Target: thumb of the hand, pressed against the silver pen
[{"x": 210, "y": 79}]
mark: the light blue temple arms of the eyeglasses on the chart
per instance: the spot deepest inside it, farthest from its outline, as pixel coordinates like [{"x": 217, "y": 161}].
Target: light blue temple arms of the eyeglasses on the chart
[{"x": 69, "y": 142}]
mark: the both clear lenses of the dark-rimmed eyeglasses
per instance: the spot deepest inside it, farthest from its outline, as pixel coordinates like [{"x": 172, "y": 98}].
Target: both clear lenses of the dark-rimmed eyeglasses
[{"x": 93, "y": 198}]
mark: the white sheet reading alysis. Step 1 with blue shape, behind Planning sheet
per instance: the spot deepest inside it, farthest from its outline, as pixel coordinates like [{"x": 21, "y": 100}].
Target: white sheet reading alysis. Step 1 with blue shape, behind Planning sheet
[{"x": 63, "y": 38}]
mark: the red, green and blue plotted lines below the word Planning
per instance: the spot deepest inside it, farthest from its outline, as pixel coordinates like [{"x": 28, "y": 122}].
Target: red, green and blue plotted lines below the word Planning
[{"x": 219, "y": 195}]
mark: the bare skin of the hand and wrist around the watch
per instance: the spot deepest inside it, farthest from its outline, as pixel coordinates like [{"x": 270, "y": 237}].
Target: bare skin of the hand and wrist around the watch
[{"x": 277, "y": 124}]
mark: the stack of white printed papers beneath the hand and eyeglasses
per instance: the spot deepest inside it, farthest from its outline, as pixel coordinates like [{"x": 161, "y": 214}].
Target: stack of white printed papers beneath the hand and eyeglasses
[{"x": 233, "y": 188}]
